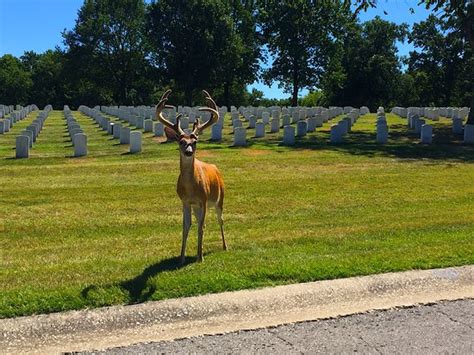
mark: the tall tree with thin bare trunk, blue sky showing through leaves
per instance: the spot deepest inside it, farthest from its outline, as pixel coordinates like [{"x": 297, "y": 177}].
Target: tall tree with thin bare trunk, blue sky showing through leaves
[{"x": 299, "y": 36}]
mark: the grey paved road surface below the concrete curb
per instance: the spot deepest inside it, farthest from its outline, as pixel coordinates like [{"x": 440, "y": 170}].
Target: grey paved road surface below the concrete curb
[{"x": 446, "y": 327}]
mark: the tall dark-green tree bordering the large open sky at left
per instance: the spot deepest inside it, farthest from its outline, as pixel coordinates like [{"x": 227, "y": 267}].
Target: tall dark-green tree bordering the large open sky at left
[{"x": 107, "y": 52}]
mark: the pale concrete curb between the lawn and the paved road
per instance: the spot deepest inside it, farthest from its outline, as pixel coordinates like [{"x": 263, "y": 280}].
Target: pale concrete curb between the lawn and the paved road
[{"x": 231, "y": 311}]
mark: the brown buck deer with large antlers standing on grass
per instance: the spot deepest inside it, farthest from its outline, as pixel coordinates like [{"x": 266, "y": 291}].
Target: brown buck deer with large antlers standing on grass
[{"x": 199, "y": 184}]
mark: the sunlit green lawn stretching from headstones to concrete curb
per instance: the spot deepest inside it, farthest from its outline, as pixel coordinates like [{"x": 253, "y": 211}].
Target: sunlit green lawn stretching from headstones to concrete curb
[{"x": 106, "y": 229}]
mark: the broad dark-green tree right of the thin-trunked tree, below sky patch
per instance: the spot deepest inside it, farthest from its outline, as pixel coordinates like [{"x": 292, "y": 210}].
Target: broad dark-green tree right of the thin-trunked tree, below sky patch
[{"x": 367, "y": 72}]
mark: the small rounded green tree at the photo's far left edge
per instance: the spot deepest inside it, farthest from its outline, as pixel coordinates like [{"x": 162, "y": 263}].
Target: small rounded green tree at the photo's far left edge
[{"x": 15, "y": 81}]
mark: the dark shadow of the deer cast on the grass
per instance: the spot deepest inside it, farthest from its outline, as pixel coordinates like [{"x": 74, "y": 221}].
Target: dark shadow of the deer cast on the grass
[{"x": 139, "y": 289}]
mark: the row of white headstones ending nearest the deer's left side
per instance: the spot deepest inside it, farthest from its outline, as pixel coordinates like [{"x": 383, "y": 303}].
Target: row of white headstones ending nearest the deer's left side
[{"x": 124, "y": 134}]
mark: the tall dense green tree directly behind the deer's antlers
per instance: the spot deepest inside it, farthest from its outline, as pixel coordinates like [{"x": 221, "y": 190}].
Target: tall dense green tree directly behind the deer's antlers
[{"x": 204, "y": 44}]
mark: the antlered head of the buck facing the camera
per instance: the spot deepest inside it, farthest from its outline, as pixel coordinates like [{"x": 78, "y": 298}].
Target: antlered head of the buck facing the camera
[{"x": 187, "y": 141}]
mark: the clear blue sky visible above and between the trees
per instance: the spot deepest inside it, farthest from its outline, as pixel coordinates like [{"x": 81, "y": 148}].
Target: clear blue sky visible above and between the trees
[{"x": 37, "y": 25}]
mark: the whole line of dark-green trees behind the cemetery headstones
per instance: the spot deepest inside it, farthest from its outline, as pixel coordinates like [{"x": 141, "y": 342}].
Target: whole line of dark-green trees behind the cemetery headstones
[{"x": 127, "y": 52}]
